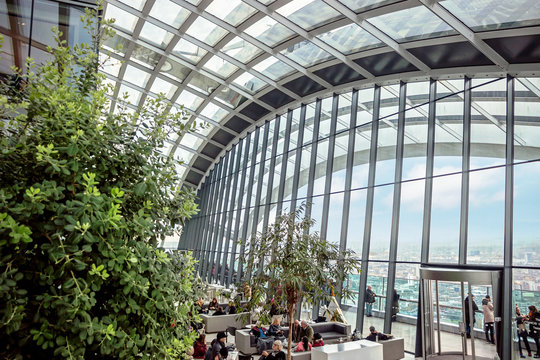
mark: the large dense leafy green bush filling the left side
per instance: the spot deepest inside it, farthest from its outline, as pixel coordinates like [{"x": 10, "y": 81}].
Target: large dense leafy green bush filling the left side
[{"x": 85, "y": 197}]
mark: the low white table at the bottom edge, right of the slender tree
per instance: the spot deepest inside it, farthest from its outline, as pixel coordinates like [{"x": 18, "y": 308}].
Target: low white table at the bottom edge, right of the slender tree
[{"x": 353, "y": 350}]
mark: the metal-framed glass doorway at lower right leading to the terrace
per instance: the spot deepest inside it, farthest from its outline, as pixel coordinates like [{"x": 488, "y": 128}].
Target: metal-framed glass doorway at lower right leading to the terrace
[{"x": 448, "y": 330}]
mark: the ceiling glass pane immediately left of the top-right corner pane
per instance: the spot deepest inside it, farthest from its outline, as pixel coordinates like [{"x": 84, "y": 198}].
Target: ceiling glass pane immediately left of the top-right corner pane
[{"x": 412, "y": 24}]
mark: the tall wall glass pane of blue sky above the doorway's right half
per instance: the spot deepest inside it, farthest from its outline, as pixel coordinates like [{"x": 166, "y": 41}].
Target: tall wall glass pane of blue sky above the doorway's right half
[{"x": 485, "y": 240}]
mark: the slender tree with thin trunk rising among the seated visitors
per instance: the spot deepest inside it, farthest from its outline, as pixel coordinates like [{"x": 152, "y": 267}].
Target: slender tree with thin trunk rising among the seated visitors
[{"x": 287, "y": 264}]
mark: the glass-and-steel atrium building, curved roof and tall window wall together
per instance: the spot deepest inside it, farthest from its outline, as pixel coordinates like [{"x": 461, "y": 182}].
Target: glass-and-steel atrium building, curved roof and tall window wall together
[{"x": 409, "y": 126}]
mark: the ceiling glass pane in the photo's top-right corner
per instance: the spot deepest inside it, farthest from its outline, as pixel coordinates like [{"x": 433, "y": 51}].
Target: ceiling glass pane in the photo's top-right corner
[{"x": 494, "y": 14}]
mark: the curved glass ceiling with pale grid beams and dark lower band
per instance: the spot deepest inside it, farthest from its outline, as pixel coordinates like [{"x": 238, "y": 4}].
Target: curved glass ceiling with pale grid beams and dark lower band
[{"x": 233, "y": 64}]
